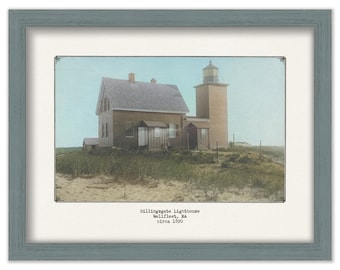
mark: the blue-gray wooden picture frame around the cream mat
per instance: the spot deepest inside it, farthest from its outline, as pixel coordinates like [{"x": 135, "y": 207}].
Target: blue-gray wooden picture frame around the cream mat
[{"x": 318, "y": 20}]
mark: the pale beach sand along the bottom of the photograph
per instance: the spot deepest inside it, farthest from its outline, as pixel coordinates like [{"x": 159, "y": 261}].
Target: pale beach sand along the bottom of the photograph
[{"x": 108, "y": 189}]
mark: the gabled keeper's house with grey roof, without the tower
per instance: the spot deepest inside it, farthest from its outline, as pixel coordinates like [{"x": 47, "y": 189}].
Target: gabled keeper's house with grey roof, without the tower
[{"x": 138, "y": 114}]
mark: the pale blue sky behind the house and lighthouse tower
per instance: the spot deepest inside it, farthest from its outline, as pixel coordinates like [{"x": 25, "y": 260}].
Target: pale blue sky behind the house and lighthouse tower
[{"x": 256, "y": 92}]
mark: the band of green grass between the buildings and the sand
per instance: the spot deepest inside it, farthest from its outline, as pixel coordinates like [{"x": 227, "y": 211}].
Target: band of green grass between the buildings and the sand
[{"x": 235, "y": 168}]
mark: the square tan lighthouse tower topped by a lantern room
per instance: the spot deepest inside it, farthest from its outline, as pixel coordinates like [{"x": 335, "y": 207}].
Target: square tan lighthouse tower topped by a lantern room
[{"x": 211, "y": 103}]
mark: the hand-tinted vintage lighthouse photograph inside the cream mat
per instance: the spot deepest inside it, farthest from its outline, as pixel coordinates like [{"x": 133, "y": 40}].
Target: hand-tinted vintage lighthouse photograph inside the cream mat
[{"x": 170, "y": 129}]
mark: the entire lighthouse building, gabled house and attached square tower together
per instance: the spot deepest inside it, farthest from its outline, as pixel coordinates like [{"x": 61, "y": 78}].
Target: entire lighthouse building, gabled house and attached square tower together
[{"x": 151, "y": 115}]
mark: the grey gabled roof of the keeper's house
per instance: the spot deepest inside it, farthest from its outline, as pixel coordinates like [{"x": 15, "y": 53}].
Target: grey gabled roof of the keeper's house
[{"x": 142, "y": 96}]
